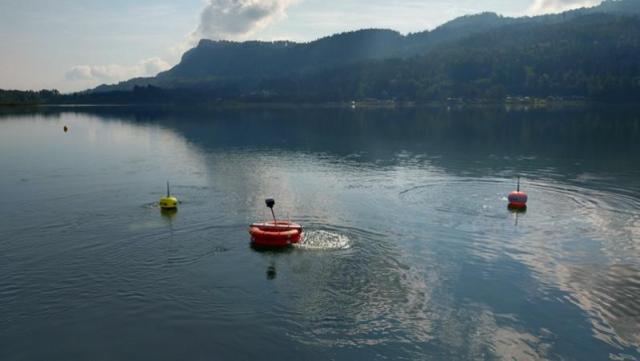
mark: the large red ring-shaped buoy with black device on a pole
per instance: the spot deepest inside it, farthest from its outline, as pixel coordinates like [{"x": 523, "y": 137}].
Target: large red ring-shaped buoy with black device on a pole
[{"x": 276, "y": 234}]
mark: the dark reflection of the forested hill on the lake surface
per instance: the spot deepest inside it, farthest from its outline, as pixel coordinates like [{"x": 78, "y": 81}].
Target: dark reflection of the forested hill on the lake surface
[{"x": 571, "y": 143}]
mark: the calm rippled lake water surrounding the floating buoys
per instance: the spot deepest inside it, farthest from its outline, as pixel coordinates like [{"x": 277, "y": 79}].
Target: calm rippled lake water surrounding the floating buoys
[{"x": 411, "y": 252}]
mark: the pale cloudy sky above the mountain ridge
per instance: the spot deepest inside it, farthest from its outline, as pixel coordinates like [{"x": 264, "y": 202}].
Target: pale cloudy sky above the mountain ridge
[{"x": 73, "y": 45}]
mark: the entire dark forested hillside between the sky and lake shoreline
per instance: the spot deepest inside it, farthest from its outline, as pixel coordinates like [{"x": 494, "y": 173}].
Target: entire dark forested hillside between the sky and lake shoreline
[{"x": 591, "y": 54}]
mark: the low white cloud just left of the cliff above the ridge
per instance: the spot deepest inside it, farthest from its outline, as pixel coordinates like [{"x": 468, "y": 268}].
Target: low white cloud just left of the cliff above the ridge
[{"x": 114, "y": 72}]
